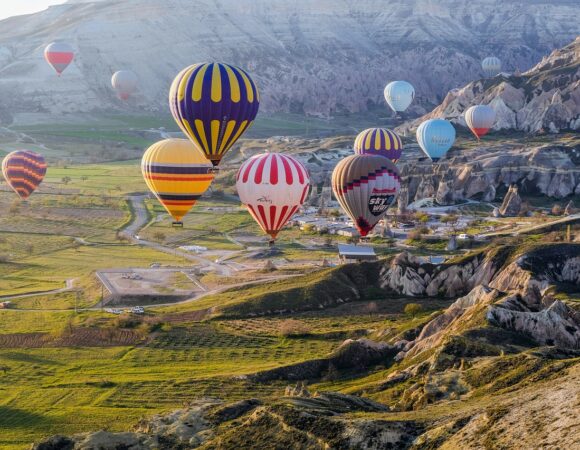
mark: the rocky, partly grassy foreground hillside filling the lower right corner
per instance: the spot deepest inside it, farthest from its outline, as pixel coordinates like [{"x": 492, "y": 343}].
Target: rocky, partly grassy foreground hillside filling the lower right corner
[{"x": 503, "y": 357}]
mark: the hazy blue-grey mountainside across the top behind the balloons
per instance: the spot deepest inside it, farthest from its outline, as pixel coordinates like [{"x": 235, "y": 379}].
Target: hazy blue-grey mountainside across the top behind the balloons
[{"x": 321, "y": 58}]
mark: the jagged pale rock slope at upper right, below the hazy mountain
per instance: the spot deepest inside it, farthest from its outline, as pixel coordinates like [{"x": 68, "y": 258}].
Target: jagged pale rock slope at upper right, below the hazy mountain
[{"x": 543, "y": 99}]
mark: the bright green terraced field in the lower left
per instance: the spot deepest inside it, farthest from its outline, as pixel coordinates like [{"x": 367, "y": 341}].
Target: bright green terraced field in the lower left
[{"x": 49, "y": 390}]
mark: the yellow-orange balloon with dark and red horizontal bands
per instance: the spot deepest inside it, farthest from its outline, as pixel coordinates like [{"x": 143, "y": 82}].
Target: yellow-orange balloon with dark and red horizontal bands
[{"x": 177, "y": 173}]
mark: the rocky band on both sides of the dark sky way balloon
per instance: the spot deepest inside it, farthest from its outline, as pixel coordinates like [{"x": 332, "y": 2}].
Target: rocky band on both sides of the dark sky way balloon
[{"x": 543, "y": 166}]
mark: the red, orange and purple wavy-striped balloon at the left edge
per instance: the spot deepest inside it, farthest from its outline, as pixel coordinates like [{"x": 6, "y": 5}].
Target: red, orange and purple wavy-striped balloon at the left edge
[{"x": 24, "y": 171}]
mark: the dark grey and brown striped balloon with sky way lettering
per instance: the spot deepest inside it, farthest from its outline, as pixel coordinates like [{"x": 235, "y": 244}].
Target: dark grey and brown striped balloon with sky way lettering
[{"x": 365, "y": 186}]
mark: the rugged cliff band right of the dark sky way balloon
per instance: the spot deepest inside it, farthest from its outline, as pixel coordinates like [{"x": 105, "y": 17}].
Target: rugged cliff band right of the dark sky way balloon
[{"x": 483, "y": 172}]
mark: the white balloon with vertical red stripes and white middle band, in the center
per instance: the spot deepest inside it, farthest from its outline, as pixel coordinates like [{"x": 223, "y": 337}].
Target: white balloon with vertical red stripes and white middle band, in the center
[{"x": 272, "y": 186}]
